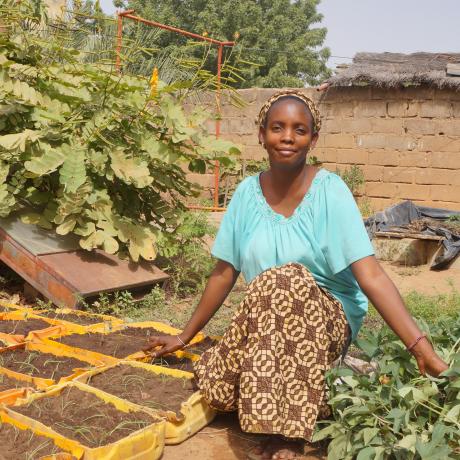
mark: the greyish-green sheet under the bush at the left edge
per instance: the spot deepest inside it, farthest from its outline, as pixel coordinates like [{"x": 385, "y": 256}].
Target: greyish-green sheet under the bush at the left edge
[{"x": 37, "y": 240}]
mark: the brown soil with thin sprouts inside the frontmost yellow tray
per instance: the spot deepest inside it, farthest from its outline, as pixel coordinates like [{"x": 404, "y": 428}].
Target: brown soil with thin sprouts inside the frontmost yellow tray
[{"x": 82, "y": 416}]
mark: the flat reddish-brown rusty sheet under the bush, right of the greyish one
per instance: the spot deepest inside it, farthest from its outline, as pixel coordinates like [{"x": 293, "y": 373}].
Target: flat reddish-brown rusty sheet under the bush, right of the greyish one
[{"x": 93, "y": 272}]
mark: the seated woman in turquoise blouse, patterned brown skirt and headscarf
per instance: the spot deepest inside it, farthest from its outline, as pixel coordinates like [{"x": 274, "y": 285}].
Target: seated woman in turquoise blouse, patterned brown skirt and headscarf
[{"x": 297, "y": 235}]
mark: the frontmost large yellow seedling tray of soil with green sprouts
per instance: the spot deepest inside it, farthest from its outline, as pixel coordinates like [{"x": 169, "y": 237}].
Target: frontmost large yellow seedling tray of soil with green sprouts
[{"x": 55, "y": 412}]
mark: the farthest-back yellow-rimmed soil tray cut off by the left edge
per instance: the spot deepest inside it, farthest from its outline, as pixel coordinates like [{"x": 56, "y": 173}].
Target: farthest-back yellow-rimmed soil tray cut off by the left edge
[{"x": 20, "y": 325}]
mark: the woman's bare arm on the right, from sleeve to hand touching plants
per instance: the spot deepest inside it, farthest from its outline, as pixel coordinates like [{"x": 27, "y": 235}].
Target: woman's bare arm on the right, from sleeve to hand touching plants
[{"x": 385, "y": 297}]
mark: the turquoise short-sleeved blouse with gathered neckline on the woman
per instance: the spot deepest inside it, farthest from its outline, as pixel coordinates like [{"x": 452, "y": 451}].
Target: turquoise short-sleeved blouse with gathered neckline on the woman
[{"x": 325, "y": 233}]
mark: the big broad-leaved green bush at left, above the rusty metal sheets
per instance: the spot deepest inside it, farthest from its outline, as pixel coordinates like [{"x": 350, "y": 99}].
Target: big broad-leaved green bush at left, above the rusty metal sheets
[{"x": 88, "y": 151}]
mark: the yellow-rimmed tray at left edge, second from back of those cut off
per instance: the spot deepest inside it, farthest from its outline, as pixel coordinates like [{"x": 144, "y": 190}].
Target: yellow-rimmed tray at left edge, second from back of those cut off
[{"x": 43, "y": 365}]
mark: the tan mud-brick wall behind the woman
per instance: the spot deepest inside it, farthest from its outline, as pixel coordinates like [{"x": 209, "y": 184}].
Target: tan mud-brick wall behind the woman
[{"x": 407, "y": 141}]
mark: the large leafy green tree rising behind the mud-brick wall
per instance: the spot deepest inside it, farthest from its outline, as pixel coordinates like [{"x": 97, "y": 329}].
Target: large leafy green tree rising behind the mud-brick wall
[{"x": 277, "y": 37}]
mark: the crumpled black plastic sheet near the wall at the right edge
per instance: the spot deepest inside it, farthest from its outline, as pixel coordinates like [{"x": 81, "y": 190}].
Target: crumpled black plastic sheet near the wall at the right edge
[{"x": 398, "y": 217}]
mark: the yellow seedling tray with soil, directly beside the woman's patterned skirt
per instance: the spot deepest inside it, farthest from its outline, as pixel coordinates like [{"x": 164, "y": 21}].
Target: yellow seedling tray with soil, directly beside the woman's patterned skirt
[{"x": 169, "y": 393}]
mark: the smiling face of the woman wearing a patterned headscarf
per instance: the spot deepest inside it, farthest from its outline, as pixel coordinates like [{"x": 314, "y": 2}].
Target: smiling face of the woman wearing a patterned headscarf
[{"x": 287, "y": 134}]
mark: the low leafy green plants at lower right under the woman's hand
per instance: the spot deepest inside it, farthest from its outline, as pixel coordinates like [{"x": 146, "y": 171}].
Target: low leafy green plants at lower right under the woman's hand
[{"x": 395, "y": 413}]
